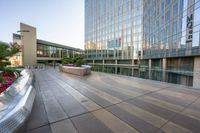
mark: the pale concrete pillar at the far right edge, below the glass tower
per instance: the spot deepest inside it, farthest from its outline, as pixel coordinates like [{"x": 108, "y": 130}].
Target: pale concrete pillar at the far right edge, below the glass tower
[{"x": 196, "y": 77}]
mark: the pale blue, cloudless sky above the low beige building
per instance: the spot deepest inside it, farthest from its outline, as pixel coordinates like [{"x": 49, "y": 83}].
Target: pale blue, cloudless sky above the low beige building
[{"x": 59, "y": 21}]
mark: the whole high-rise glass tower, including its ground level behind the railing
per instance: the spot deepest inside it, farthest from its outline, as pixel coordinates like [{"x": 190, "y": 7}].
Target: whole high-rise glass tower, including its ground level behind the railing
[{"x": 159, "y": 40}]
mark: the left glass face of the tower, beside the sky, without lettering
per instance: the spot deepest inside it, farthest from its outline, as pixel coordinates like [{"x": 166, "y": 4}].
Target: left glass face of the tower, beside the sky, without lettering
[{"x": 113, "y": 29}]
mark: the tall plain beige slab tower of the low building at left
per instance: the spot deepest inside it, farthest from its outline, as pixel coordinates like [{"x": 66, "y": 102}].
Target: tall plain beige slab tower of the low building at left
[{"x": 29, "y": 44}]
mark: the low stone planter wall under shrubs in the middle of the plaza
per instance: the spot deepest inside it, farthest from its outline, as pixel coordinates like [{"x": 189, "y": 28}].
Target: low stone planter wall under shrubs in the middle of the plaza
[{"x": 80, "y": 71}]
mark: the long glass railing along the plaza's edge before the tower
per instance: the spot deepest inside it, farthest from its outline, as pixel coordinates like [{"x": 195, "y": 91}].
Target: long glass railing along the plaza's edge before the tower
[{"x": 144, "y": 72}]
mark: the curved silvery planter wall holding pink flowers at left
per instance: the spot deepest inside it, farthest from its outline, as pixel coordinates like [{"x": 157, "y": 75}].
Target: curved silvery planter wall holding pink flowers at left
[{"x": 16, "y": 103}]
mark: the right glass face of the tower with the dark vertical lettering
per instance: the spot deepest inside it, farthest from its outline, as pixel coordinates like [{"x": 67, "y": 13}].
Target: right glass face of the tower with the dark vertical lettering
[{"x": 171, "y": 28}]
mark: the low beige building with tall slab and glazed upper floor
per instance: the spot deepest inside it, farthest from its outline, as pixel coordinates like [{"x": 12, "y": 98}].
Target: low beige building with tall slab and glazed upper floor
[{"x": 35, "y": 51}]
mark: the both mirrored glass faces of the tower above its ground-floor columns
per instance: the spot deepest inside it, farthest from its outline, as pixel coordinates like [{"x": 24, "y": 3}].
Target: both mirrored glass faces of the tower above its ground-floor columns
[{"x": 132, "y": 29}]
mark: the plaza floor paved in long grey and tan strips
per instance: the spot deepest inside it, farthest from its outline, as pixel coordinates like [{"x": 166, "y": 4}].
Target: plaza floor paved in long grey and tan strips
[{"x": 105, "y": 103}]
